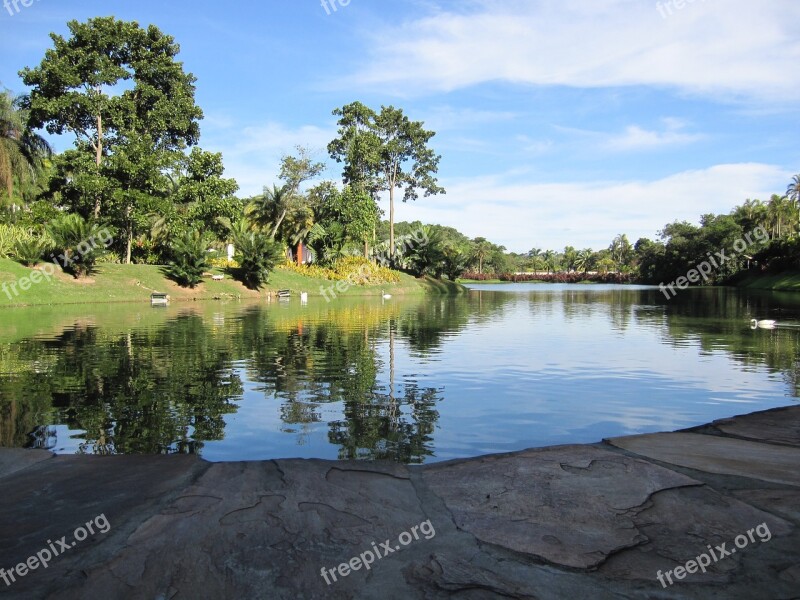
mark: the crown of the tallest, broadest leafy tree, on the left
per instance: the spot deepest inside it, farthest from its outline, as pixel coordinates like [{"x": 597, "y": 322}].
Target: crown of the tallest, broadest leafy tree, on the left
[{"x": 118, "y": 88}]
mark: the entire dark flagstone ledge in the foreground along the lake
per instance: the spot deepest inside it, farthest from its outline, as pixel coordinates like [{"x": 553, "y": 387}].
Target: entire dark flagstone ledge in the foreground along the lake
[{"x": 589, "y": 521}]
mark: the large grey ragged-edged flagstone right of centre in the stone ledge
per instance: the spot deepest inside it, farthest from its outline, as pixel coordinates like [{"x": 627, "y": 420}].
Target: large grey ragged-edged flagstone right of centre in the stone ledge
[{"x": 522, "y": 501}]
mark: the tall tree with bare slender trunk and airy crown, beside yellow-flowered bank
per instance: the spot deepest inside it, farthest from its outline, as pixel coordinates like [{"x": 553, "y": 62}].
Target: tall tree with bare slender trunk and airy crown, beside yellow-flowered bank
[{"x": 385, "y": 151}]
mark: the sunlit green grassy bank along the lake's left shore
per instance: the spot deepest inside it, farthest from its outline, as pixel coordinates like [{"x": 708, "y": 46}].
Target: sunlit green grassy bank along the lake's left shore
[{"x": 135, "y": 283}]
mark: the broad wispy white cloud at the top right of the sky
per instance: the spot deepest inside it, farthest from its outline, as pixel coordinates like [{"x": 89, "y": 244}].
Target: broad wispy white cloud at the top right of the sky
[{"x": 728, "y": 50}]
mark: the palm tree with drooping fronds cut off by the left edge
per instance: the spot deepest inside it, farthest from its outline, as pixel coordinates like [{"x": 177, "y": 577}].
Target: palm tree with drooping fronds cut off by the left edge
[{"x": 22, "y": 152}]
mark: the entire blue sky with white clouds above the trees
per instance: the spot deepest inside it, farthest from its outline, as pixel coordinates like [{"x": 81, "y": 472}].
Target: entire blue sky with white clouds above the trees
[{"x": 558, "y": 121}]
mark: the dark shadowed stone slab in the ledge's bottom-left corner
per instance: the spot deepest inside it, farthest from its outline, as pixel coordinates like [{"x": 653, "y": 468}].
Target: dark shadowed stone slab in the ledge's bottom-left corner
[{"x": 54, "y": 497}]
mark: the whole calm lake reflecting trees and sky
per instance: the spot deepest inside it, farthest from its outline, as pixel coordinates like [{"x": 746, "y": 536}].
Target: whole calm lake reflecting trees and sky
[{"x": 502, "y": 368}]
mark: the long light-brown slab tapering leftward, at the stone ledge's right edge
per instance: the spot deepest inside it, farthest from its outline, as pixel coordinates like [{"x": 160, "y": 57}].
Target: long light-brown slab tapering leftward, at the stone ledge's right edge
[{"x": 715, "y": 454}]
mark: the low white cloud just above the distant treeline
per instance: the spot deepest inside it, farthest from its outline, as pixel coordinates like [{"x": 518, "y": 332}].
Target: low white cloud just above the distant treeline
[{"x": 552, "y": 215}]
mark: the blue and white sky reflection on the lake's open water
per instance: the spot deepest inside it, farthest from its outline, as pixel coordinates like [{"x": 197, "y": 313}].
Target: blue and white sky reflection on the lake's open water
[{"x": 531, "y": 378}]
